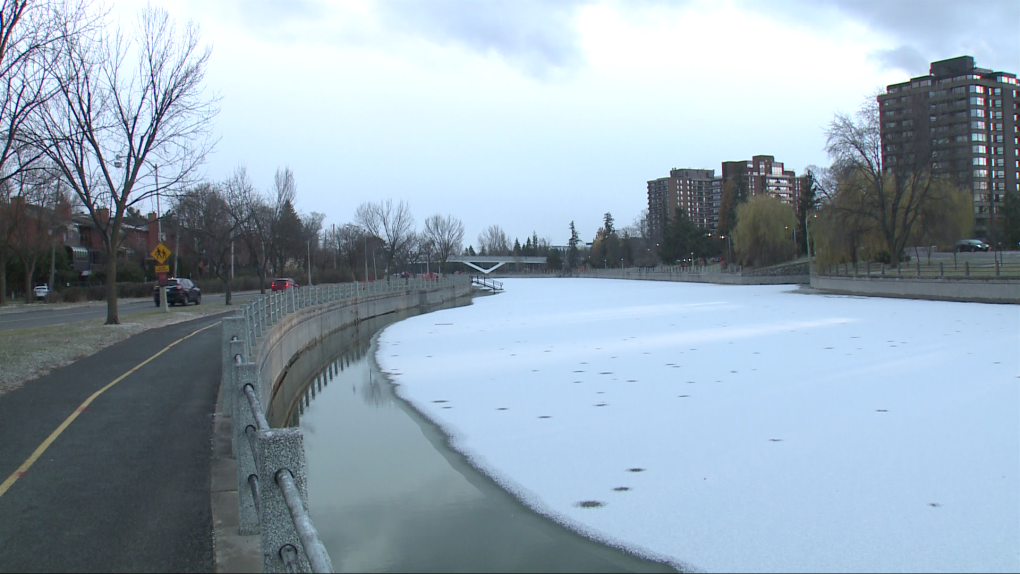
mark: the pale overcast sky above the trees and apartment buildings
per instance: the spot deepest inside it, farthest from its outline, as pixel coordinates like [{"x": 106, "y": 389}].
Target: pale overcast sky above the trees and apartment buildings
[{"x": 530, "y": 114}]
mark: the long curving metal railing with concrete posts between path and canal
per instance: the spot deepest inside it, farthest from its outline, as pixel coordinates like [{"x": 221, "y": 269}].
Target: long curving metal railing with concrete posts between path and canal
[{"x": 273, "y": 495}]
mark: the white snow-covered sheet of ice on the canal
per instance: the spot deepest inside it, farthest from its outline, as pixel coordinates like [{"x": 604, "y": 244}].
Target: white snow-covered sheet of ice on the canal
[{"x": 737, "y": 429}]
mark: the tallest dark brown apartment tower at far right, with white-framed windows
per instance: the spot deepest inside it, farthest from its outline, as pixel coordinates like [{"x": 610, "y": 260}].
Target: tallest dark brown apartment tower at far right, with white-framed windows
[{"x": 963, "y": 120}]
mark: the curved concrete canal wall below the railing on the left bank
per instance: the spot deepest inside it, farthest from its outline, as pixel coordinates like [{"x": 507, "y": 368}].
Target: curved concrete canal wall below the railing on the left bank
[{"x": 299, "y": 331}]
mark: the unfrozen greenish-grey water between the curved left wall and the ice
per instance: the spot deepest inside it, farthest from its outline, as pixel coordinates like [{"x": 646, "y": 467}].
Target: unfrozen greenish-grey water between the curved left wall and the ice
[{"x": 388, "y": 495}]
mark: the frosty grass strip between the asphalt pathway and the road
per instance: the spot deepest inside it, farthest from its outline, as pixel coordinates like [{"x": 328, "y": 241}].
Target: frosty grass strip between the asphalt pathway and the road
[{"x": 30, "y": 353}]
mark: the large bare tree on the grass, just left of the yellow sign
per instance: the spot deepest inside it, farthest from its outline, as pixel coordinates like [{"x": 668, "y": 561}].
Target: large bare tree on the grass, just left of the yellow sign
[{"x": 149, "y": 117}]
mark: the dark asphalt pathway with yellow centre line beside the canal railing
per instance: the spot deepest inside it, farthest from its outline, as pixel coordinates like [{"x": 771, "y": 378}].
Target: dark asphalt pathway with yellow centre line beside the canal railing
[{"x": 125, "y": 488}]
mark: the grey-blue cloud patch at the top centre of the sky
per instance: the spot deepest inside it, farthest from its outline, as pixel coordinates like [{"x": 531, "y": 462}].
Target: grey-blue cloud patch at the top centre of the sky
[{"x": 538, "y": 37}]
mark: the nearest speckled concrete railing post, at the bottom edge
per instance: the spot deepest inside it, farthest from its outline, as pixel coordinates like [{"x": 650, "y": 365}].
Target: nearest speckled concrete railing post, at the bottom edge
[{"x": 281, "y": 449}]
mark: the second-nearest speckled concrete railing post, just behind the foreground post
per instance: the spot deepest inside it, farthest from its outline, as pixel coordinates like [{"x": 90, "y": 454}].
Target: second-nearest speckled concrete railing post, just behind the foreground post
[{"x": 248, "y": 519}]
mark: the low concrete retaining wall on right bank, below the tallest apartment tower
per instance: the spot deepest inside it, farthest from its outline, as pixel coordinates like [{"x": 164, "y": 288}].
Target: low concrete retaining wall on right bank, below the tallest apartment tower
[{"x": 980, "y": 291}]
